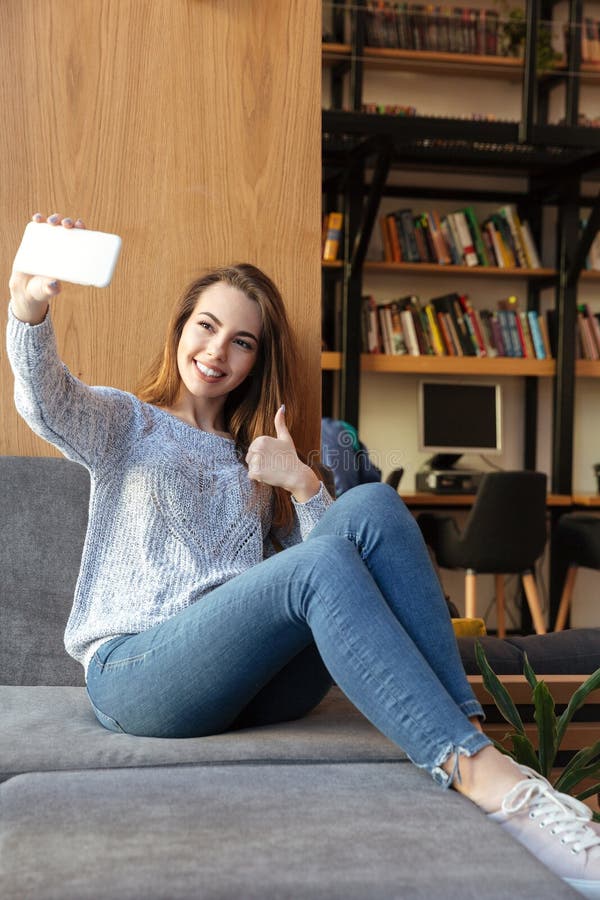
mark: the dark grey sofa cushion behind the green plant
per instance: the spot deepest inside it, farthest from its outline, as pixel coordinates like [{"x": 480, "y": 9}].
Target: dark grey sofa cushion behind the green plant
[{"x": 572, "y": 652}]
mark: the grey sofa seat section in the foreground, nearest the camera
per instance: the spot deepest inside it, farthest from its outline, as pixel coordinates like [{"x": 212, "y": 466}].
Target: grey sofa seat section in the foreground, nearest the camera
[{"x": 256, "y": 831}]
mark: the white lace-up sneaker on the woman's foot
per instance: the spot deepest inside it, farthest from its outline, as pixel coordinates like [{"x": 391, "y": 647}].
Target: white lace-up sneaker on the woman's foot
[{"x": 556, "y": 829}]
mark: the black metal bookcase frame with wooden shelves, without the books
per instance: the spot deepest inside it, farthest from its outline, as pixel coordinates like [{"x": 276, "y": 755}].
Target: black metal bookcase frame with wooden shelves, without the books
[{"x": 364, "y": 151}]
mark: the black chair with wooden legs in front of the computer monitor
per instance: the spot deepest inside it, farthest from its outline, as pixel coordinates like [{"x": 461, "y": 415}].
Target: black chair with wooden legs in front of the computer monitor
[{"x": 505, "y": 533}]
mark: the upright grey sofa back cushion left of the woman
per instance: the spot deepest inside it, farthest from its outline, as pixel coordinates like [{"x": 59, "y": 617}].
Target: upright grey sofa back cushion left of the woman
[{"x": 43, "y": 519}]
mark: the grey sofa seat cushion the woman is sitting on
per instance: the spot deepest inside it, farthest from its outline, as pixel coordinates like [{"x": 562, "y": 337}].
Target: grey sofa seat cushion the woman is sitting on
[{"x": 53, "y": 728}]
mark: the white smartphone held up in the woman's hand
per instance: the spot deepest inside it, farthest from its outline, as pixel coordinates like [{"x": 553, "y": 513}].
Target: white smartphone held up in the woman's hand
[{"x": 68, "y": 254}]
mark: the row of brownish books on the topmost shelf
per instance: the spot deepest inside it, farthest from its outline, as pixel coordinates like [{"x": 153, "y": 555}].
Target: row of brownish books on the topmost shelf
[{"x": 445, "y": 29}]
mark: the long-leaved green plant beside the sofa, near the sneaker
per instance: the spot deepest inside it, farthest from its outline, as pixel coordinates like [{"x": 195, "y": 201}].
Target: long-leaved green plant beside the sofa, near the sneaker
[{"x": 551, "y": 729}]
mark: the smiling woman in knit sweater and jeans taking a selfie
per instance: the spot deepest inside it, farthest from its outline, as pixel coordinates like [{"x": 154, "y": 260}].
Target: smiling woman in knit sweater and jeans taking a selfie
[{"x": 187, "y": 621}]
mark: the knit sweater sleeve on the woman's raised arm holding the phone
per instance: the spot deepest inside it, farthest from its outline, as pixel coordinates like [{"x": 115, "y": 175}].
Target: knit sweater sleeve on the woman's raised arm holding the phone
[{"x": 87, "y": 424}]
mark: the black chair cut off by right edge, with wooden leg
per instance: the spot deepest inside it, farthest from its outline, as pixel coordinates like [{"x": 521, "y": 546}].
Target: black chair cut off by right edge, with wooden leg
[{"x": 577, "y": 543}]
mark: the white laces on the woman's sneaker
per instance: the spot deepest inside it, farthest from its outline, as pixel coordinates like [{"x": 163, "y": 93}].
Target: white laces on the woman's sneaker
[{"x": 568, "y": 817}]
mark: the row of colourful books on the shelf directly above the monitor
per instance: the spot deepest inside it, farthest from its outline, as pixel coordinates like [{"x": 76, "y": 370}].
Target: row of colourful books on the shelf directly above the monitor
[{"x": 449, "y": 326}]
